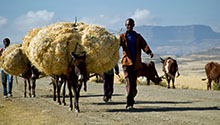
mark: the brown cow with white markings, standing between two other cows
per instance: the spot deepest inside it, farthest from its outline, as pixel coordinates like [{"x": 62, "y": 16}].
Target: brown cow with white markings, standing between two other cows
[{"x": 170, "y": 68}]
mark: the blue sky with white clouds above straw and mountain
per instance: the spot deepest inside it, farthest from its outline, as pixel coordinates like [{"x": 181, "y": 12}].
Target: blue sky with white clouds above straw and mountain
[{"x": 17, "y": 17}]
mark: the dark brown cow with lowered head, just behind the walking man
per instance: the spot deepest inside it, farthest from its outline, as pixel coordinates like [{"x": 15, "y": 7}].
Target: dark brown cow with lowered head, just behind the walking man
[{"x": 149, "y": 71}]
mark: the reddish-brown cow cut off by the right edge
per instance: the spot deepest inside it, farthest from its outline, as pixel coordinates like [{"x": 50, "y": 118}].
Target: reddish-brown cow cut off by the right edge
[{"x": 212, "y": 70}]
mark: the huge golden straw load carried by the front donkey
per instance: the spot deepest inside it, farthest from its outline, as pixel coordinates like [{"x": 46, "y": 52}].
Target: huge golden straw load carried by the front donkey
[{"x": 48, "y": 48}]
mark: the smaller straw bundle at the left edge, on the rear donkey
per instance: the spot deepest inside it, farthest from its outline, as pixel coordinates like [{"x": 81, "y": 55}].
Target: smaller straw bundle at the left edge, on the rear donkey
[{"x": 14, "y": 61}]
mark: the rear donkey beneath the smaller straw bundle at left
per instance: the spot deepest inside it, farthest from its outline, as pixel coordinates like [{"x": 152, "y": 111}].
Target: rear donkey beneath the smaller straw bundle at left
[{"x": 30, "y": 76}]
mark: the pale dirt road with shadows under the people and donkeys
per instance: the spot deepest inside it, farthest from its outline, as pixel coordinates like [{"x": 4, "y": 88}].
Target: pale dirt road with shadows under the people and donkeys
[{"x": 154, "y": 105}]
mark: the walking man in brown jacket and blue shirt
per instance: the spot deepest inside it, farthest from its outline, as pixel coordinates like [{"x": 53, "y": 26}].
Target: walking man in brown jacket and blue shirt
[{"x": 132, "y": 43}]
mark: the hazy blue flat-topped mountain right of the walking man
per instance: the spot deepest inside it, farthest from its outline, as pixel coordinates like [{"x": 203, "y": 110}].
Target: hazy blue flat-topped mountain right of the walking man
[{"x": 179, "y": 40}]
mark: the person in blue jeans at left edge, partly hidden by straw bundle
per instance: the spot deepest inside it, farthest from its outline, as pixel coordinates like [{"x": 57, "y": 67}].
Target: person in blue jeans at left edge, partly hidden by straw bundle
[{"x": 5, "y": 76}]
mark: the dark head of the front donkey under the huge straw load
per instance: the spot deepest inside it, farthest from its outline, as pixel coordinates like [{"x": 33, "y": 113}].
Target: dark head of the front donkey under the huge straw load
[{"x": 79, "y": 65}]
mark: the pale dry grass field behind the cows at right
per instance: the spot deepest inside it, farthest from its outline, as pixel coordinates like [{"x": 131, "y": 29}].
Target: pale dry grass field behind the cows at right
[{"x": 191, "y": 68}]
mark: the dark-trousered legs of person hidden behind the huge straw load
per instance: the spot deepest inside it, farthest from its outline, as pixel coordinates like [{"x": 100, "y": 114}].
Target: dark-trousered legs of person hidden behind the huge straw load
[{"x": 108, "y": 81}]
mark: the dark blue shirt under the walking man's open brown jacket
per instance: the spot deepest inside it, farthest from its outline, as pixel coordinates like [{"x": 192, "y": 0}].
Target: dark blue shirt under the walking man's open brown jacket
[{"x": 132, "y": 45}]
